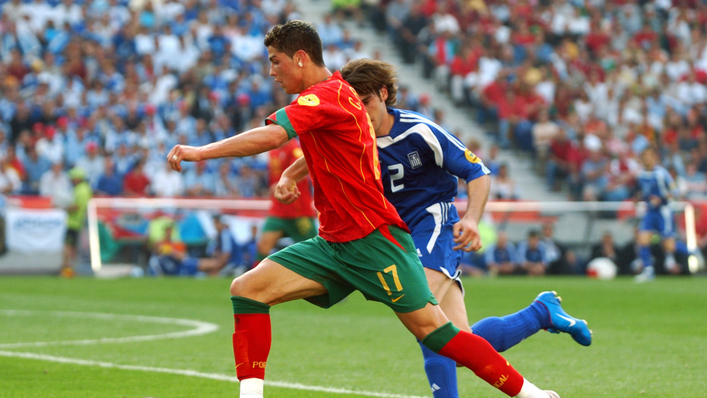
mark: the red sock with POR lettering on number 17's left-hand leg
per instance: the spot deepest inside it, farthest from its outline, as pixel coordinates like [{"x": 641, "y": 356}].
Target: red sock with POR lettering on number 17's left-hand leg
[{"x": 251, "y": 345}]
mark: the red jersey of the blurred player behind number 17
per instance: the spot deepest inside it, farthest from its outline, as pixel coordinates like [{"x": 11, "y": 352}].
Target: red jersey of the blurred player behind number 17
[{"x": 280, "y": 159}]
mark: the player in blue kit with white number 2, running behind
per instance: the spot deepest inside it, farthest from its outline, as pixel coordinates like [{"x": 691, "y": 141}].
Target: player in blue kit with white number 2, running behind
[{"x": 420, "y": 164}]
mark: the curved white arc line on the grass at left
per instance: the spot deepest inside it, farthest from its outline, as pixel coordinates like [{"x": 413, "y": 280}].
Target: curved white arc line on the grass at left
[{"x": 199, "y": 328}]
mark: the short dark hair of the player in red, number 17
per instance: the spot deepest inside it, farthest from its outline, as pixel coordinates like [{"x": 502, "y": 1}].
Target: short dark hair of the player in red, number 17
[{"x": 296, "y": 35}]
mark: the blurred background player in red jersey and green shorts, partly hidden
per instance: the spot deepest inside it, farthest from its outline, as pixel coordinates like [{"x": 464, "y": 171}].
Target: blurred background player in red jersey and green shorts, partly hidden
[{"x": 295, "y": 221}]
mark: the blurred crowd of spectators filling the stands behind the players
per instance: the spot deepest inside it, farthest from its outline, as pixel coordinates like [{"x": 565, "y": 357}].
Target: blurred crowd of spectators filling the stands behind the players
[{"x": 109, "y": 86}]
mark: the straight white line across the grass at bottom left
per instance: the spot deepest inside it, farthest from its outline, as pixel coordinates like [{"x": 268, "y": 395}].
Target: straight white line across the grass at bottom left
[{"x": 194, "y": 373}]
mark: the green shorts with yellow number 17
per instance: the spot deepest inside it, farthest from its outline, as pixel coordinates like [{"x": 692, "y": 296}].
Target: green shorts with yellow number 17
[{"x": 384, "y": 269}]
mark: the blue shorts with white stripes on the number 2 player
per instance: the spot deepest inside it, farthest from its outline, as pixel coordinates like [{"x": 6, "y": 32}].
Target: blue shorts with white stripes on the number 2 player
[{"x": 434, "y": 240}]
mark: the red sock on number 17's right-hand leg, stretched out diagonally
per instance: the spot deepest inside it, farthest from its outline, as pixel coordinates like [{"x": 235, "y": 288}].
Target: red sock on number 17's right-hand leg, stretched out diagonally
[{"x": 478, "y": 355}]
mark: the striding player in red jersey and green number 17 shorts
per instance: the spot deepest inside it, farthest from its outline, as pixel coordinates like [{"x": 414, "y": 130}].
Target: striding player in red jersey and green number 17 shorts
[{"x": 362, "y": 244}]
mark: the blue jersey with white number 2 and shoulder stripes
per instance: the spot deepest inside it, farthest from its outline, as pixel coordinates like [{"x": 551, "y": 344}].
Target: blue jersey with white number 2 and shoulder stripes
[{"x": 420, "y": 164}]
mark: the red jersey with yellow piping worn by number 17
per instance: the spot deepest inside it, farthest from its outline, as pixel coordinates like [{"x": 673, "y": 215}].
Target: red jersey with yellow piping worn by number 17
[{"x": 339, "y": 145}]
